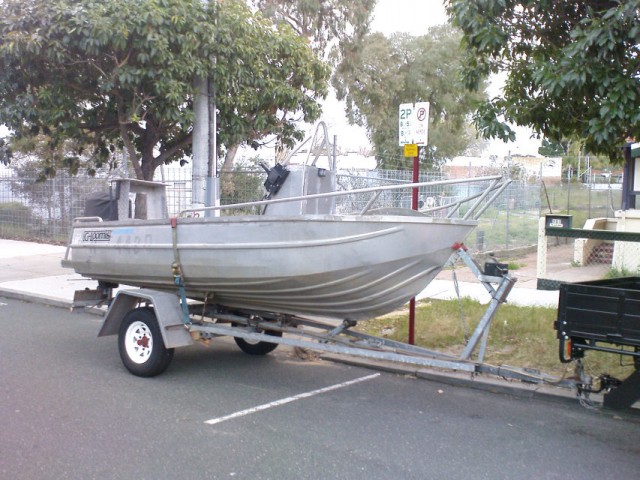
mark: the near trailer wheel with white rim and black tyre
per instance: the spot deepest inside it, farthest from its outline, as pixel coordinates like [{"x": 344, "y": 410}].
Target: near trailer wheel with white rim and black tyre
[{"x": 141, "y": 345}]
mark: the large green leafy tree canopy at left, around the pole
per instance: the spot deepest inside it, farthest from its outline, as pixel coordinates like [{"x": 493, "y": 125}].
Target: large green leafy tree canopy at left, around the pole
[{"x": 114, "y": 74}]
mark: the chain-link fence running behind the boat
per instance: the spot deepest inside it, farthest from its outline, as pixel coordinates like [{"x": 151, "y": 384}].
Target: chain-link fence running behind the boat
[{"x": 43, "y": 211}]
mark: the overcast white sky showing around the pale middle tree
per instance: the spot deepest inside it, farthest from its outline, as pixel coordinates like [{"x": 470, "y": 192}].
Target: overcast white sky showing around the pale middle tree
[{"x": 414, "y": 17}]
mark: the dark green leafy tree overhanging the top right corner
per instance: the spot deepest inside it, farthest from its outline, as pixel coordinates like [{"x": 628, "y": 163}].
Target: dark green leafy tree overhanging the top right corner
[{"x": 573, "y": 67}]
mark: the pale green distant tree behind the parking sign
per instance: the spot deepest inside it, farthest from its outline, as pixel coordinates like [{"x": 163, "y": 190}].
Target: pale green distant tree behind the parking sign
[{"x": 404, "y": 69}]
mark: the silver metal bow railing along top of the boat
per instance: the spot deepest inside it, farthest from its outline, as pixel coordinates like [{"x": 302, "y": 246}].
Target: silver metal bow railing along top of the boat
[{"x": 481, "y": 200}]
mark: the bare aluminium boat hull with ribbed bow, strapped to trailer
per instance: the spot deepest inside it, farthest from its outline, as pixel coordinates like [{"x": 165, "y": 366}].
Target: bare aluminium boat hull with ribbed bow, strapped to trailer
[{"x": 348, "y": 267}]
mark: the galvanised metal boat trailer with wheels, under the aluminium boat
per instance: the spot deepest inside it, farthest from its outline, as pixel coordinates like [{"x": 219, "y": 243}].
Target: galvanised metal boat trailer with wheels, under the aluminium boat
[{"x": 151, "y": 323}]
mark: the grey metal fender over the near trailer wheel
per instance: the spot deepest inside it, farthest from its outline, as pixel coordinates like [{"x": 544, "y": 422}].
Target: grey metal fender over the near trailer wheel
[{"x": 166, "y": 307}]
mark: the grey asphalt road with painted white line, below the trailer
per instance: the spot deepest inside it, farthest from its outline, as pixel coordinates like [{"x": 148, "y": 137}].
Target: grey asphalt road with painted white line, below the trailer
[{"x": 69, "y": 410}]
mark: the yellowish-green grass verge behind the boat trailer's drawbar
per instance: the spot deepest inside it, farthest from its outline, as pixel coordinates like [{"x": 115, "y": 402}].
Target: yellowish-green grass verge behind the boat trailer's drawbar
[{"x": 519, "y": 336}]
